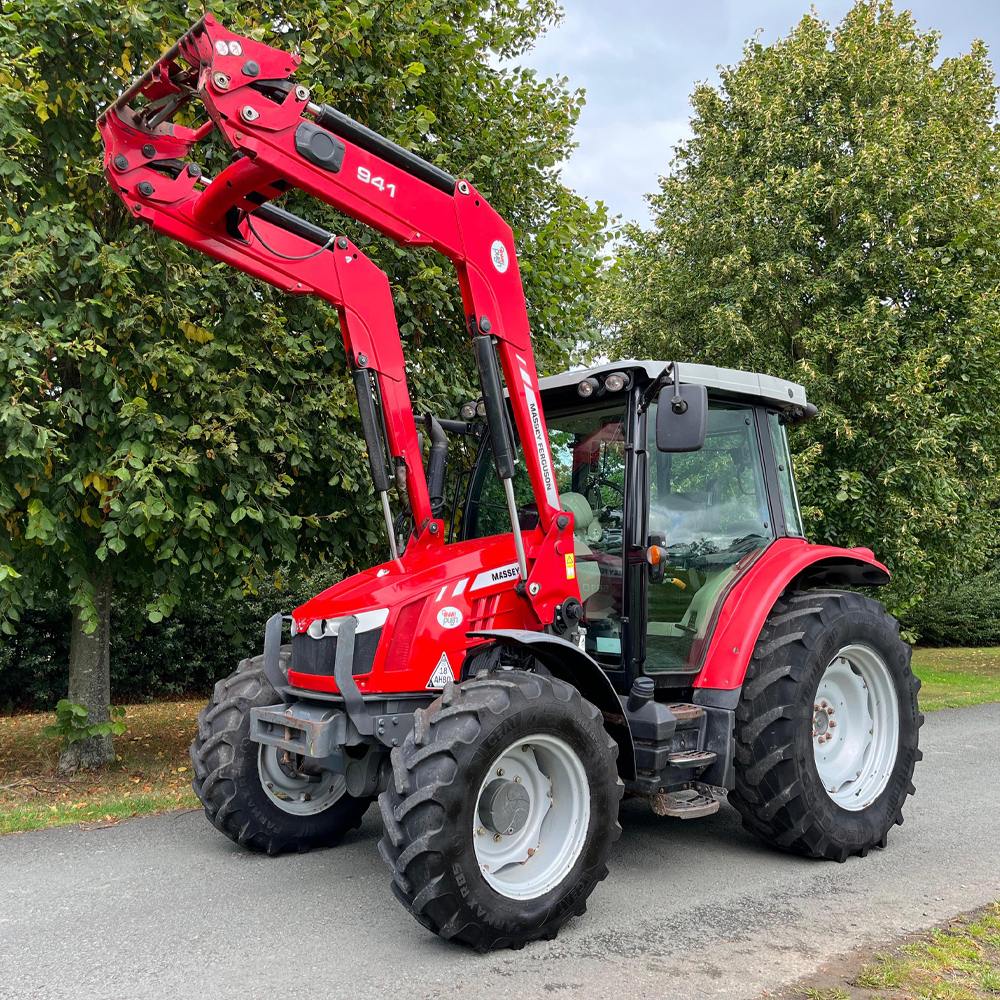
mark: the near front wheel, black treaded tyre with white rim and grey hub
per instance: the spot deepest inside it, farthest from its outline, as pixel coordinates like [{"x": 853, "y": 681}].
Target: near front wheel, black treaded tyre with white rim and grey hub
[{"x": 502, "y": 810}]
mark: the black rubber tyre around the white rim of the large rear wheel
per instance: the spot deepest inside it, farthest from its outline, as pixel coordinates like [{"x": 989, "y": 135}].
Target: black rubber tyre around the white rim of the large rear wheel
[{"x": 778, "y": 789}]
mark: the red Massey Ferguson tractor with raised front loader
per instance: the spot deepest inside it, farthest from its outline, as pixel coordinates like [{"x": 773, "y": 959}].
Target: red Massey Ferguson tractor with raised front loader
[{"x": 629, "y": 606}]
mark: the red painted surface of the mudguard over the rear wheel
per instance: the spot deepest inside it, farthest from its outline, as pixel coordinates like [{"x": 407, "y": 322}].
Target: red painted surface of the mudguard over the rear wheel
[{"x": 750, "y": 601}]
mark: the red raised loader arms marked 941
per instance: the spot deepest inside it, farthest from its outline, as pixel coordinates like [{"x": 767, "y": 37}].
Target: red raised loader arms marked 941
[{"x": 461, "y": 225}]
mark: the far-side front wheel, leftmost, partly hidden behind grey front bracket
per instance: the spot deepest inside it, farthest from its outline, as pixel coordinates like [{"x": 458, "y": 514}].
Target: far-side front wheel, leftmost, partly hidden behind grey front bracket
[{"x": 249, "y": 791}]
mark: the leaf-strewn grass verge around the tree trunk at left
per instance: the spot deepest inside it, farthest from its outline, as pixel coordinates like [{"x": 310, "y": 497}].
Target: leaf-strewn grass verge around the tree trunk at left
[{"x": 152, "y": 771}]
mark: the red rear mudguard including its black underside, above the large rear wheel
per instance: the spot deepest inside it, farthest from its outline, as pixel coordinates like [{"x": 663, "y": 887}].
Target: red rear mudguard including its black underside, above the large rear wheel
[{"x": 786, "y": 563}]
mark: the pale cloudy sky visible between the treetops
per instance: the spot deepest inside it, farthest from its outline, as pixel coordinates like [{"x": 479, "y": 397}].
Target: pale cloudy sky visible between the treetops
[{"x": 638, "y": 61}]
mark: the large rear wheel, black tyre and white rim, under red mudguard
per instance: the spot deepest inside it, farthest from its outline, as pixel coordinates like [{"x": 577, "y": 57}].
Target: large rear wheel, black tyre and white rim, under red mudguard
[{"x": 827, "y": 727}]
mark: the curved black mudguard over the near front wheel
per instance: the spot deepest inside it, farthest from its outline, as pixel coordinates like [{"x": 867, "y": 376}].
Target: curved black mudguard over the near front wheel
[{"x": 571, "y": 664}]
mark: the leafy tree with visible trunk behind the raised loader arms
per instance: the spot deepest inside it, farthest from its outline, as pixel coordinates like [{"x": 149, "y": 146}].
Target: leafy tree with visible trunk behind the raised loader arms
[{"x": 166, "y": 421}]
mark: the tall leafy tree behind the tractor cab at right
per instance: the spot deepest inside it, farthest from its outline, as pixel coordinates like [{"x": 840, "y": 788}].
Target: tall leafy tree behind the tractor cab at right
[{"x": 832, "y": 220}]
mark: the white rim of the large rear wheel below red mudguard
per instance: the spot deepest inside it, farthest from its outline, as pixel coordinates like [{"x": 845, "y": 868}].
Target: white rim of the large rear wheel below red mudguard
[{"x": 855, "y": 727}]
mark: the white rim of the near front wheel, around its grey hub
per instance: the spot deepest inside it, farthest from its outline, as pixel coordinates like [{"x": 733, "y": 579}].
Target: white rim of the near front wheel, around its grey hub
[{"x": 538, "y": 856}]
